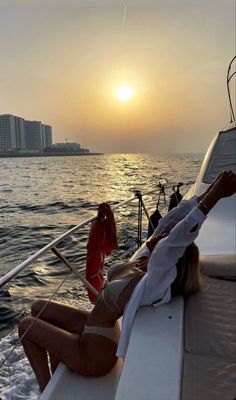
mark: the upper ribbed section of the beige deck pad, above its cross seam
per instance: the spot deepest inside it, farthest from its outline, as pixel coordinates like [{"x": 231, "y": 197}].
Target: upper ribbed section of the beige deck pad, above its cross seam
[{"x": 210, "y": 329}]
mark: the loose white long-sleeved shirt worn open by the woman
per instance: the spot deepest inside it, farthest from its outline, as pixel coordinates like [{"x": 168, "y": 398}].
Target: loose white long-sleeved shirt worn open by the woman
[{"x": 155, "y": 286}]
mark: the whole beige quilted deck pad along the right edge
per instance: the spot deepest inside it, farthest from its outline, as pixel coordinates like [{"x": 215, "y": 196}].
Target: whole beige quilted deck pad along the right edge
[{"x": 210, "y": 339}]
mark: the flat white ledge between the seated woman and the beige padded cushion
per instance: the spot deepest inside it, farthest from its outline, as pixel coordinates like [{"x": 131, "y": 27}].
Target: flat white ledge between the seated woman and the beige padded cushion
[{"x": 153, "y": 364}]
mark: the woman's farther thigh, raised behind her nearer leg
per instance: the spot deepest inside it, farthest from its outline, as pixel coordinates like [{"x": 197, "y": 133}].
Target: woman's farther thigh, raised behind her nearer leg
[{"x": 65, "y": 317}]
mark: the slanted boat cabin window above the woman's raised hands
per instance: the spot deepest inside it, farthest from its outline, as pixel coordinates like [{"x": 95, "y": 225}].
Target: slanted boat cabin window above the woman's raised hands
[{"x": 223, "y": 156}]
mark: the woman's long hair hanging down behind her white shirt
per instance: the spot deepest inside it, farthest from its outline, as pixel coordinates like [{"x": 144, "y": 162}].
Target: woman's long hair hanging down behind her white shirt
[{"x": 188, "y": 280}]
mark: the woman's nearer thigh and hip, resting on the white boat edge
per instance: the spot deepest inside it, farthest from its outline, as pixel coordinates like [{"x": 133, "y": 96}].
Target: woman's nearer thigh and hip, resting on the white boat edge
[{"x": 84, "y": 356}]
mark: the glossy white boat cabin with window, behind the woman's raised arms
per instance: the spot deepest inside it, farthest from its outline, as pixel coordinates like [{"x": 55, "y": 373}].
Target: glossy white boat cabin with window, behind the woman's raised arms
[{"x": 218, "y": 233}]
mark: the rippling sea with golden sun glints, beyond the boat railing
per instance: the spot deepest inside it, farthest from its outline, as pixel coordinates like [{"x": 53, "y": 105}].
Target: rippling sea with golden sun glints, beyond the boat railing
[{"x": 40, "y": 199}]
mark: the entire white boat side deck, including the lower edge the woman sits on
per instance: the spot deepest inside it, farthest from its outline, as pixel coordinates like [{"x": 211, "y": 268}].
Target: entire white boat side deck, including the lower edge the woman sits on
[{"x": 151, "y": 357}]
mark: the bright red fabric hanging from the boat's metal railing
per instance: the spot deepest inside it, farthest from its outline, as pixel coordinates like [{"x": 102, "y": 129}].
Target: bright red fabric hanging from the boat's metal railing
[{"x": 102, "y": 240}]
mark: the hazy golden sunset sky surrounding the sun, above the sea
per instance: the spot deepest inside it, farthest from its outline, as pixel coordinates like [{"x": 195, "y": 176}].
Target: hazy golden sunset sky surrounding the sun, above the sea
[{"x": 62, "y": 62}]
